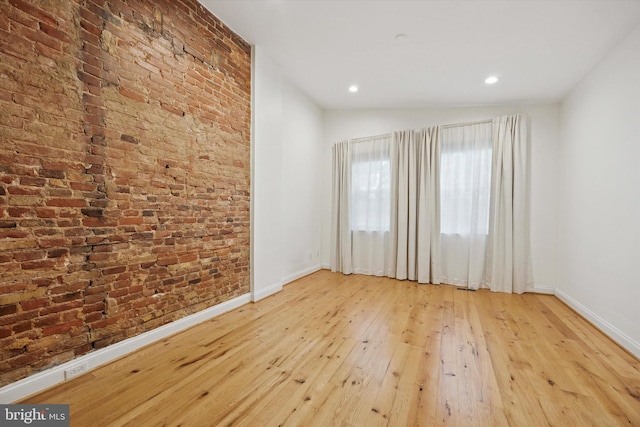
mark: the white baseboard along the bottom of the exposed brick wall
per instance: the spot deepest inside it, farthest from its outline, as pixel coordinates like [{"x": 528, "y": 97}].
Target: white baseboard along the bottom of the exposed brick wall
[{"x": 42, "y": 380}]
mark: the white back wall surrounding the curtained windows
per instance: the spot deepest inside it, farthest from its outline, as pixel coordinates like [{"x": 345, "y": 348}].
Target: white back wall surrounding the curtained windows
[{"x": 545, "y": 127}]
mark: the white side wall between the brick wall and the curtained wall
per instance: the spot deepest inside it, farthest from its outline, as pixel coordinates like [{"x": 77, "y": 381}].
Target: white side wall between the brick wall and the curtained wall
[{"x": 286, "y": 143}]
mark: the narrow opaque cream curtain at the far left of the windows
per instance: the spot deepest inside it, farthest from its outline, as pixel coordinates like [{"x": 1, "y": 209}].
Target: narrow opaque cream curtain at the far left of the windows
[{"x": 340, "y": 253}]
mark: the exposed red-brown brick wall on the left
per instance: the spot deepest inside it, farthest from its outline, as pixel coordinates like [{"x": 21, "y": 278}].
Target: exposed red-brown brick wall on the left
[{"x": 124, "y": 172}]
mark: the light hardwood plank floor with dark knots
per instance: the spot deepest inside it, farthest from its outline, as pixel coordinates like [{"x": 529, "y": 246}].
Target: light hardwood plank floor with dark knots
[{"x": 366, "y": 351}]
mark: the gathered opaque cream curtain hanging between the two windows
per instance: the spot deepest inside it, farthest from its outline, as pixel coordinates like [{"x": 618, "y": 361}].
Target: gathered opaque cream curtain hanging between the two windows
[{"x": 414, "y": 244}]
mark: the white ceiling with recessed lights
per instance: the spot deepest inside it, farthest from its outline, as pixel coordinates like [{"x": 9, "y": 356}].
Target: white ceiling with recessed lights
[{"x": 539, "y": 49}]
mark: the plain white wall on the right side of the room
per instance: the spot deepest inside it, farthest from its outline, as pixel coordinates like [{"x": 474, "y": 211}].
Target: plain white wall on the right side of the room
[{"x": 599, "y": 208}]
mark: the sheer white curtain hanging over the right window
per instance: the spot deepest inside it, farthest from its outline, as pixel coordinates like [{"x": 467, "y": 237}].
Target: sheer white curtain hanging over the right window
[{"x": 465, "y": 178}]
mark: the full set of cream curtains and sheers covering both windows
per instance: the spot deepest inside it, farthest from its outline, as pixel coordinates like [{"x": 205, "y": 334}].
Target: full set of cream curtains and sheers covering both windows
[{"x": 443, "y": 205}]
